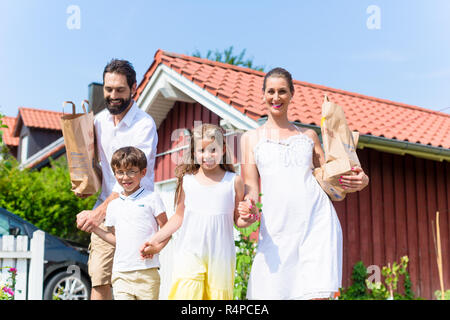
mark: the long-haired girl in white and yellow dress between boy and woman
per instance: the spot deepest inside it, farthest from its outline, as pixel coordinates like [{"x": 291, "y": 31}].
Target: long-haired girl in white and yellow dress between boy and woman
[{"x": 207, "y": 197}]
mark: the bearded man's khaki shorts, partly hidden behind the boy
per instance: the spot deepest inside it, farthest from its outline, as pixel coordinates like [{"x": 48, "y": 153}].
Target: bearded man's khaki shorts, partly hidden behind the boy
[{"x": 101, "y": 255}]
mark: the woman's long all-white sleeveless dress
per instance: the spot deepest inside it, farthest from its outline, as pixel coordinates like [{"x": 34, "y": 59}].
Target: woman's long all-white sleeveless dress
[{"x": 299, "y": 253}]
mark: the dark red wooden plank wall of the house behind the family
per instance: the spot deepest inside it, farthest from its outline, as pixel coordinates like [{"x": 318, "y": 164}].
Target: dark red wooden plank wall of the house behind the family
[{"x": 390, "y": 218}]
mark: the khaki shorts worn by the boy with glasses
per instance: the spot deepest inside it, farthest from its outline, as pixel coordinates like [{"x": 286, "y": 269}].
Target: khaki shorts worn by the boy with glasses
[{"x": 136, "y": 285}]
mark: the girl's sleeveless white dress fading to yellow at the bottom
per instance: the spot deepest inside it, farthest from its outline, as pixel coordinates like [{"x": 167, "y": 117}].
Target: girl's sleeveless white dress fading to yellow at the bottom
[{"x": 205, "y": 255}]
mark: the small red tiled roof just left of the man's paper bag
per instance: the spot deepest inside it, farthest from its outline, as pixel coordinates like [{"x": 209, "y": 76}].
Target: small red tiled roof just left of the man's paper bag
[{"x": 36, "y": 118}]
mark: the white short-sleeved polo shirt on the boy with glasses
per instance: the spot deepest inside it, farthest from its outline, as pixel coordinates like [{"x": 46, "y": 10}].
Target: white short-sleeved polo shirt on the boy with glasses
[{"x": 134, "y": 221}]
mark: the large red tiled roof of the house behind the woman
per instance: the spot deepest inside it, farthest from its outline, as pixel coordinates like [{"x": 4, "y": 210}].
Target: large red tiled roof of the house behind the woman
[{"x": 241, "y": 88}]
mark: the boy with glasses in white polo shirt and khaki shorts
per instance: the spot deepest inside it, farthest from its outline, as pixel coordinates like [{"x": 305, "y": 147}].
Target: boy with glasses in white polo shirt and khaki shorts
[{"x": 131, "y": 220}]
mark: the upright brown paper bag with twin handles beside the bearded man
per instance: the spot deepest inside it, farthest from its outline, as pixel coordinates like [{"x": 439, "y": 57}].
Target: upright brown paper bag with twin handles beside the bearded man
[{"x": 79, "y": 138}]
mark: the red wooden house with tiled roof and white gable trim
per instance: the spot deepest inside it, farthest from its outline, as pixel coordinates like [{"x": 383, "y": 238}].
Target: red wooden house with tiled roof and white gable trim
[{"x": 404, "y": 149}]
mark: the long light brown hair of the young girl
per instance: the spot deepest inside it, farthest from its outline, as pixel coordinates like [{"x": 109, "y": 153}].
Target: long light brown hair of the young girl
[{"x": 189, "y": 165}]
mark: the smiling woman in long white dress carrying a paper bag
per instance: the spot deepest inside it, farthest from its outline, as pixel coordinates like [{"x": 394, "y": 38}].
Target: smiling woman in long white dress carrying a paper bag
[{"x": 299, "y": 252}]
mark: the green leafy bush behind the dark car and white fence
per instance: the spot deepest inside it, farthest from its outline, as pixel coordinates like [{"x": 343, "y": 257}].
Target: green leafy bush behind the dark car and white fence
[{"x": 43, "y": 198}]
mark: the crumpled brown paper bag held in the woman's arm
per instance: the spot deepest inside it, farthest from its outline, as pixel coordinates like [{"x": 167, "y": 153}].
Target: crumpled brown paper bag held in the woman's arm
[{"x": 339, "y": 145}]
